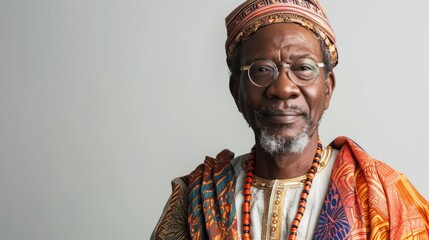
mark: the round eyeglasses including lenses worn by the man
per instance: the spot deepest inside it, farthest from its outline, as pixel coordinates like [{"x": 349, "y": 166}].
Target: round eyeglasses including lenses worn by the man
[{"x": 302, "y": 72}]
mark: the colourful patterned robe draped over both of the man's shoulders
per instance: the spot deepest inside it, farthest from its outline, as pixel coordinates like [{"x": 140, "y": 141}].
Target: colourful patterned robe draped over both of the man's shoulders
[{"x": 366, "y": 199}]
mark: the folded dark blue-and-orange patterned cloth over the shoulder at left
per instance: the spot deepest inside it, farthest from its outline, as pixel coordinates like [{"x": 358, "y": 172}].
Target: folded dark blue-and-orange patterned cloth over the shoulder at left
[{"x": 212, "y": 199}]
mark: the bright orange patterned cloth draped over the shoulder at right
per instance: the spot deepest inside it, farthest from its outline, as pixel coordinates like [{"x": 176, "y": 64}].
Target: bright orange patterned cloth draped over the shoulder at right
[{"x": 378, "y": 202}]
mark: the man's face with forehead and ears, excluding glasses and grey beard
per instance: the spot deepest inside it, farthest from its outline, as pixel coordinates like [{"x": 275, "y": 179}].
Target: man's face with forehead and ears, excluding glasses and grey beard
[{"x": 283, "y": 109}]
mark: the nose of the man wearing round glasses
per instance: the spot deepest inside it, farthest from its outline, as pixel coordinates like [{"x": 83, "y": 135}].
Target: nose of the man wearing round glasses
[{"x": 283, "y": 87}]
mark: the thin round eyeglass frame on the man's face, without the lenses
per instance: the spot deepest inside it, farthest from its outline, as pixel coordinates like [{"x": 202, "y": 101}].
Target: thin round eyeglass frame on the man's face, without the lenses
[{"x": 282, "y": 65}]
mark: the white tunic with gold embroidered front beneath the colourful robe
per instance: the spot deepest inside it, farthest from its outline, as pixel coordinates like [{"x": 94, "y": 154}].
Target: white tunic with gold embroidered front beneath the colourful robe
[{"x": 275, "y": 202}]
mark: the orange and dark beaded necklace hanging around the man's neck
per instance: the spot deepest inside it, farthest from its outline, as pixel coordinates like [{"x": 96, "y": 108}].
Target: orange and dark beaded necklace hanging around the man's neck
[{"x": 302, "y": 202}]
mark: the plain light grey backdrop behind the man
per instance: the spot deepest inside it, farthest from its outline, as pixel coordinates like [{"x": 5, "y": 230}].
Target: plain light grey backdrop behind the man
[{"x": 103, "y": 103}]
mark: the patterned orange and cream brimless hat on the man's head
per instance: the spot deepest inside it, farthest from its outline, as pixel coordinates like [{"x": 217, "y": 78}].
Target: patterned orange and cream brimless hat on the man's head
[{"x": 247, "y": 18}]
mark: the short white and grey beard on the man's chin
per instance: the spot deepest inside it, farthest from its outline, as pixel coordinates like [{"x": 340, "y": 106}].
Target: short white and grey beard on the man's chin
[{"x": 273, "y": 144}]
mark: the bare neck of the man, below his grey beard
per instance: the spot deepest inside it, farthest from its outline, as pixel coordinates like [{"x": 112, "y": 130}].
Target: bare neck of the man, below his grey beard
[{"x": 285, "y": 165}]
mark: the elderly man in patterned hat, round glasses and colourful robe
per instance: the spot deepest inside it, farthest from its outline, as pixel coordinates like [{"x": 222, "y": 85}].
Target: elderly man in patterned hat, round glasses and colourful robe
[{"x": 281, "y": 54}]
